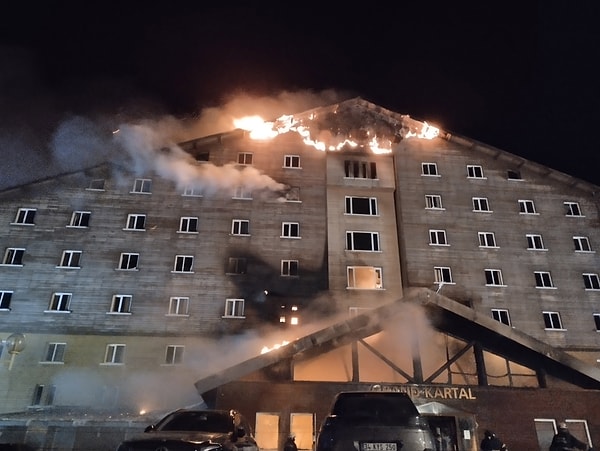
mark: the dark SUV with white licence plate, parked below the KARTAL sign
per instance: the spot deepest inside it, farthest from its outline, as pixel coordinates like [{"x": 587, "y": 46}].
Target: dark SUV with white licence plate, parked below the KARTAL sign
[{"x": 374, "y": 421}]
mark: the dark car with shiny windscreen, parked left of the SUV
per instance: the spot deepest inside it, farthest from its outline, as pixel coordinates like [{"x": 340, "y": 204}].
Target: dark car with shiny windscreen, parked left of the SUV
[{"x": 195, "y": 430}]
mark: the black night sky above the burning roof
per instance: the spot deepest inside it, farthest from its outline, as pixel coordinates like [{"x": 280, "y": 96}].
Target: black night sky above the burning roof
[{"x": 522, "y": 76}]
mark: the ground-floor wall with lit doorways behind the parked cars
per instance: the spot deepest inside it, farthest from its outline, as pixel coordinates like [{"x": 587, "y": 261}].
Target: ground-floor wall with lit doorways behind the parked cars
[{"x": 525, "y": 418}]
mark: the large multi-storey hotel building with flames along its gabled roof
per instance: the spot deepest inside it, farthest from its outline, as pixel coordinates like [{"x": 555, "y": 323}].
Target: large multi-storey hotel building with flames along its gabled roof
[{"x": 268, "y": 267}]
